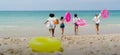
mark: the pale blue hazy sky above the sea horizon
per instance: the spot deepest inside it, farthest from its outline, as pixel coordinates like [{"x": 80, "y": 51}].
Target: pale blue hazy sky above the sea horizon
[{"x": 59, "y": 4}]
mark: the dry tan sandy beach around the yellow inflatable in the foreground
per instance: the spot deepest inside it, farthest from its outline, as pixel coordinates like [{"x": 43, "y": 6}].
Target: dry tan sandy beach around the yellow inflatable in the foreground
[{"x": 104, "y": 44}]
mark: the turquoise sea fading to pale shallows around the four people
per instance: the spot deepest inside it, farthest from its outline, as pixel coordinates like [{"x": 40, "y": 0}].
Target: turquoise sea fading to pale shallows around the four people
[{"x": 34, "y": 20}]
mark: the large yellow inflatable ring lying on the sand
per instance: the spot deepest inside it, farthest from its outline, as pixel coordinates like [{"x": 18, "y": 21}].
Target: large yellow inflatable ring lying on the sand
[{"x": 45, "y": 44}]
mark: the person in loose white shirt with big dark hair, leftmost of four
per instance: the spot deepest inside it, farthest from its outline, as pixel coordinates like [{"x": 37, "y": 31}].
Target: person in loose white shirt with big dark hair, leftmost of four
[{"x": 50, "y": 23}]
